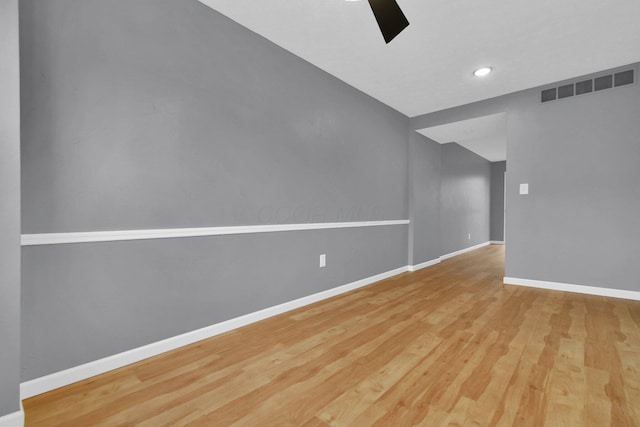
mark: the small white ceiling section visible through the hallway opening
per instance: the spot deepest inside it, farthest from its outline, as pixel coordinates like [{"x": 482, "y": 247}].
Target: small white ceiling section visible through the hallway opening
[{"x": 486, "y": 136}]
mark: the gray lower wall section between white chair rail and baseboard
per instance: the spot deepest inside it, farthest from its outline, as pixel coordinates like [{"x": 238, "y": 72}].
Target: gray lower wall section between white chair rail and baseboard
[{"x": 87, "y": 301}]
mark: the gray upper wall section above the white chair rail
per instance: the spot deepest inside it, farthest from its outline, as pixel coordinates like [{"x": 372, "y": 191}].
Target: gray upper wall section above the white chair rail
[{"x": 175, "y": 116}]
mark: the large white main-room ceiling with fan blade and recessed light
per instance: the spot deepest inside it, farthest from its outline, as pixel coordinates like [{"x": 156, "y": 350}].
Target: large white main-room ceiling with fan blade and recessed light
[{"x": 429, "y": 66}]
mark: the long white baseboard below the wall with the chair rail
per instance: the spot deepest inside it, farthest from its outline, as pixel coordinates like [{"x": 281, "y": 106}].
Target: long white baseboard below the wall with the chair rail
[{"x": 87, "y": 370}]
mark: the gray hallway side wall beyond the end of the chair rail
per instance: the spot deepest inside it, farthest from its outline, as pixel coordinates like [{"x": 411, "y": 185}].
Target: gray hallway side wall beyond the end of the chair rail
[{"x": 450, "y": 191}]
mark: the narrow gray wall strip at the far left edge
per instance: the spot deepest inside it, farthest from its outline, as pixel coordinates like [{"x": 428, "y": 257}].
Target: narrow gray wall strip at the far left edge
[{"x": 9, "y": 209}]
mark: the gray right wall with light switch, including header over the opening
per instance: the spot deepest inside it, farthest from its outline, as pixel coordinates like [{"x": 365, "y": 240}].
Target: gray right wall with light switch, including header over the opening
[{"x": 580, "y": 156}]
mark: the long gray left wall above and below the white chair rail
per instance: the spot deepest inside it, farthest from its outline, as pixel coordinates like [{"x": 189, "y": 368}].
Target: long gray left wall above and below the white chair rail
[{"x": 155, "y": 114}]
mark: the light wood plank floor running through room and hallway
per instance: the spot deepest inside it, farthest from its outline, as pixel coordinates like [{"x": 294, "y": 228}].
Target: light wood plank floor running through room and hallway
[{"x": 447, "y": 345}]
